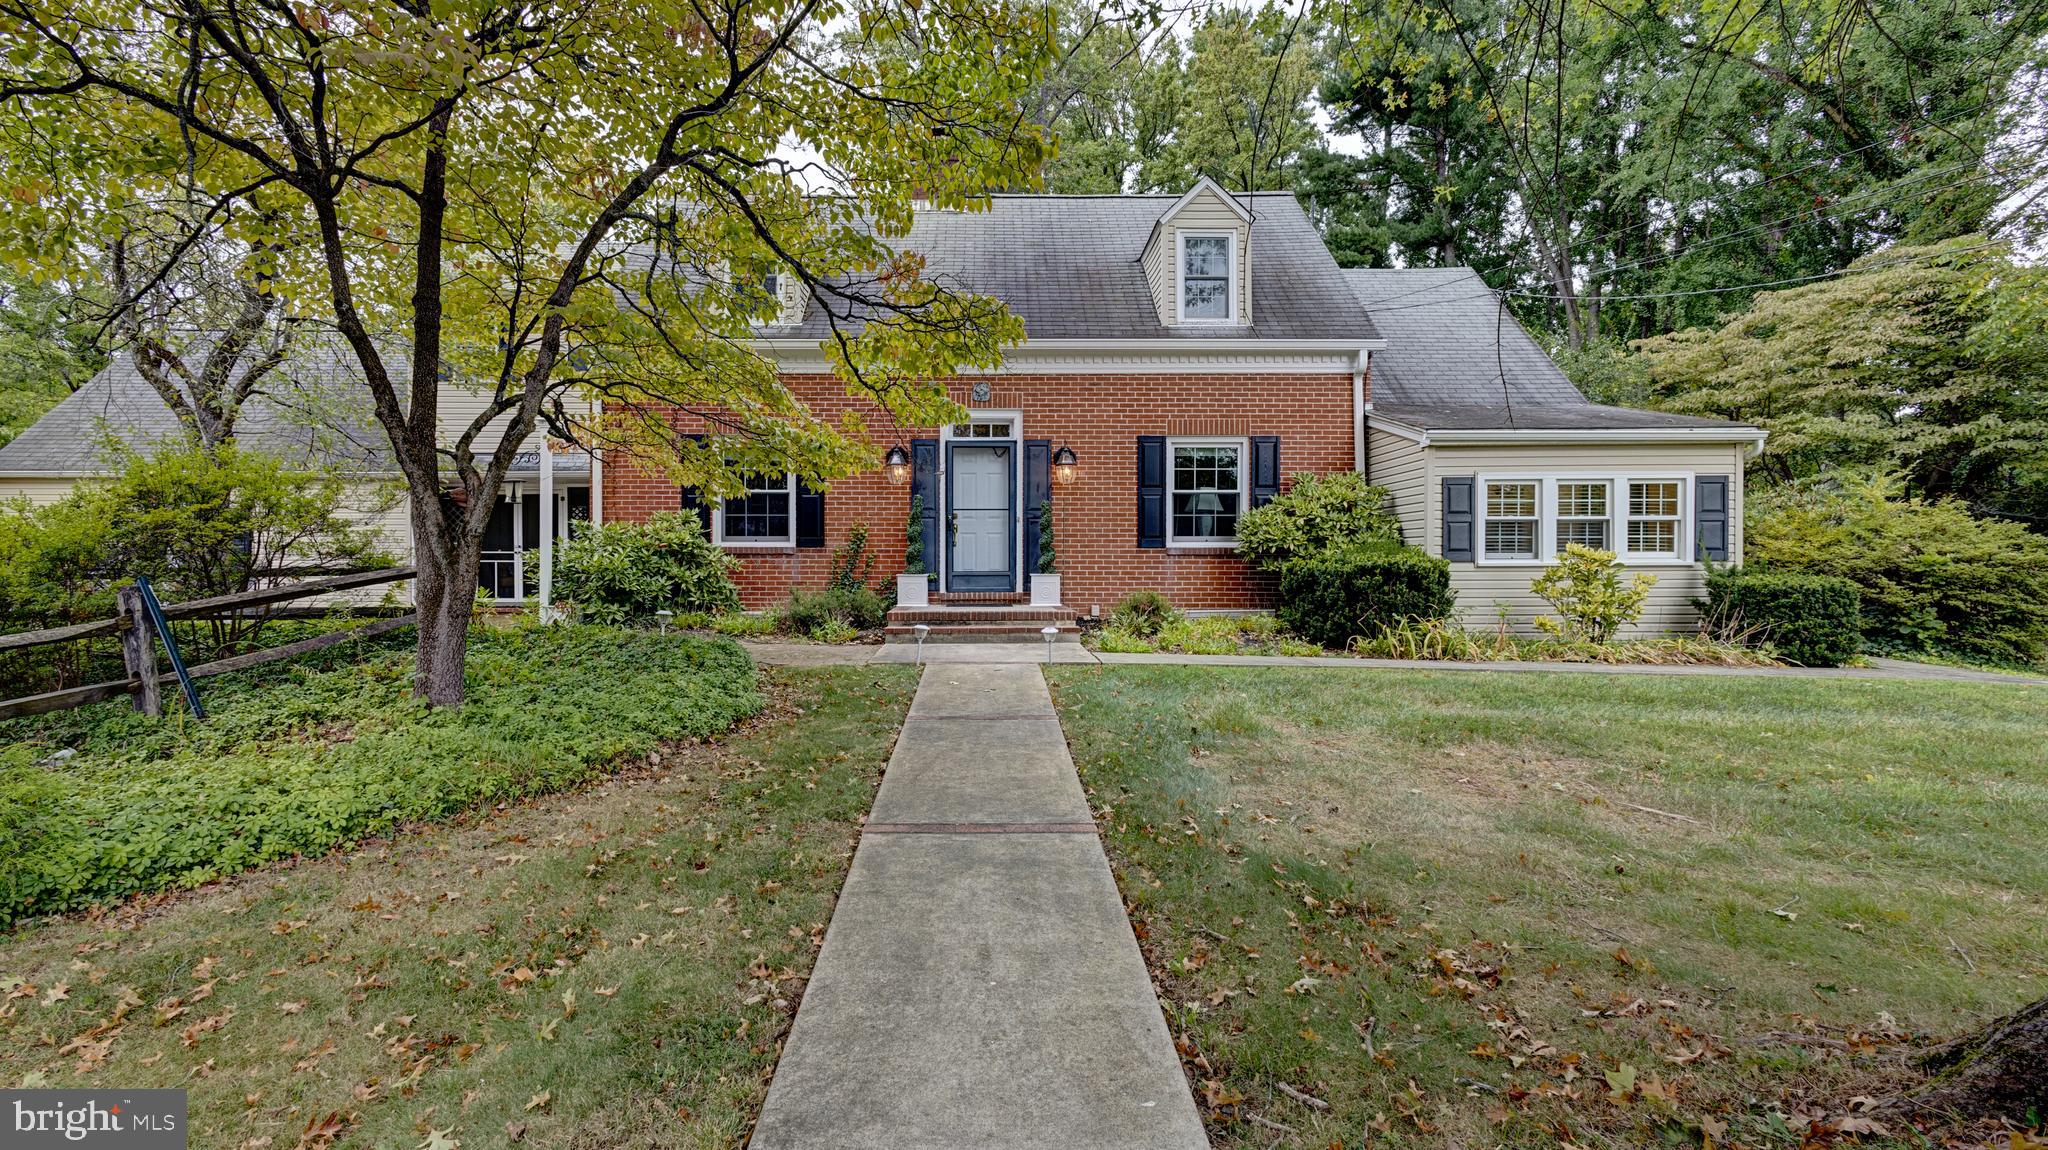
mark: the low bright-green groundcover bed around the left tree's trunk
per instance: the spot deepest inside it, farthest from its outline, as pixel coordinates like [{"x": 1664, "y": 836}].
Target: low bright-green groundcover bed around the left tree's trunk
[{"x": 304, "y": 758}]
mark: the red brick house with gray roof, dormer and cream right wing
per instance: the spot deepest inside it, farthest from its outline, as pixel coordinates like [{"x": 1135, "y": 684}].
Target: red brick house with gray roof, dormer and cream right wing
[{"x": 1195, "y": 355}]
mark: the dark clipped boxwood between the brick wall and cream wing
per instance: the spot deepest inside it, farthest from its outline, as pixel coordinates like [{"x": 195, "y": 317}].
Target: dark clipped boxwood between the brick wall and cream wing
[{"x": 1359, "y": 590}]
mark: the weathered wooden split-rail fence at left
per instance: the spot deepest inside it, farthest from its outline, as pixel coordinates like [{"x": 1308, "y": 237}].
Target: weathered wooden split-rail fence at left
[{"x": 138, "y": 642}]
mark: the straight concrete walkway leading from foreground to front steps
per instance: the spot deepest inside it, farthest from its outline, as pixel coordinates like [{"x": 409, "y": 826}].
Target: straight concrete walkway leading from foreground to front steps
[{"x": 980, "y": 983}]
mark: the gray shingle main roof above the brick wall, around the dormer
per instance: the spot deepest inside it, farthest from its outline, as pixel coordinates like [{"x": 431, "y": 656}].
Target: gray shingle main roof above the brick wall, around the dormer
[{"x": 1070, "y": 267}]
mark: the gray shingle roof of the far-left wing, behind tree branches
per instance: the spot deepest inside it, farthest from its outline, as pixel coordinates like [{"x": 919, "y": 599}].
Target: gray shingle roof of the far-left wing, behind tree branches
[{"x": 314, "y": 412}]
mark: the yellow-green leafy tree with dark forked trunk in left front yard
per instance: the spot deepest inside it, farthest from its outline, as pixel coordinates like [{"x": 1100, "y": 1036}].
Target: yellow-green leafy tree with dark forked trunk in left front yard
[{"x": 546, "y": 204}]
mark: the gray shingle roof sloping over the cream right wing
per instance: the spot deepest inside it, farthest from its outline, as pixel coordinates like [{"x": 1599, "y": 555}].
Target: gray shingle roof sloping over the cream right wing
[{"x": 1457, "y": 361}]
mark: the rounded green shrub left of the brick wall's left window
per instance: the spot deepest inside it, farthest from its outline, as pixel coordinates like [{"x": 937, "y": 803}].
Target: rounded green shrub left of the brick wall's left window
[{"x": 630, "y": 572}]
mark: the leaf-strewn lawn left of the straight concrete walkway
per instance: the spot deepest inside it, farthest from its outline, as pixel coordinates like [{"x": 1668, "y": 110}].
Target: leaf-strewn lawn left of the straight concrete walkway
[{"x": 611, "y": 967}]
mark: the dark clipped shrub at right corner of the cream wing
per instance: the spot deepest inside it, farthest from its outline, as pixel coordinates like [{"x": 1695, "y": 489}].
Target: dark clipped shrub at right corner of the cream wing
[{"x": 1814, "y": 621}]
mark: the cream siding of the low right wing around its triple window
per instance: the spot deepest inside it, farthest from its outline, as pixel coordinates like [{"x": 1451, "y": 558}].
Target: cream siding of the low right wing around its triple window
[{"x": 1482, "y": 586}]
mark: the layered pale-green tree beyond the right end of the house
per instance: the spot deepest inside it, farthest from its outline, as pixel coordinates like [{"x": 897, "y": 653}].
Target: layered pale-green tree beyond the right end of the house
[{"x": 1928, "y": 361}]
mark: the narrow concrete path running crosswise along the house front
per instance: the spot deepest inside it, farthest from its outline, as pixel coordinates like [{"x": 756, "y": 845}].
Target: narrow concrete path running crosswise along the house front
[{"x": 955, "y": 654}]
